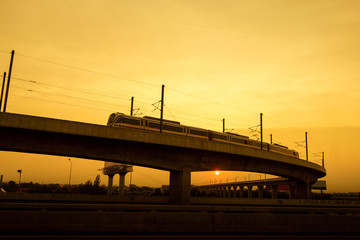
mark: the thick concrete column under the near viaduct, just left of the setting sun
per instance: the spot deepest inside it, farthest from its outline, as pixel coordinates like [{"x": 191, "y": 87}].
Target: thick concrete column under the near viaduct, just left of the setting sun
[{"x": 180, "y": 187}]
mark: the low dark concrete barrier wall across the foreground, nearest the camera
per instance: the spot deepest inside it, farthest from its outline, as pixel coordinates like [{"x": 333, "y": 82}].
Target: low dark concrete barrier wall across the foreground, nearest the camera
[{"x": 156, "y": 222}]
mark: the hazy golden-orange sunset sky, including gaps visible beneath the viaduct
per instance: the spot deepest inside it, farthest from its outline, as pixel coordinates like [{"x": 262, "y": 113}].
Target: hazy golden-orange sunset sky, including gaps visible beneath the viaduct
[{"x": 298, "y": 62}]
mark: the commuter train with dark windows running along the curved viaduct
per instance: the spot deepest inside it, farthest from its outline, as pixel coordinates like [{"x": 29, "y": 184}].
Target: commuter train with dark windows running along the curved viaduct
[{"x": 174, "y": 127}]
